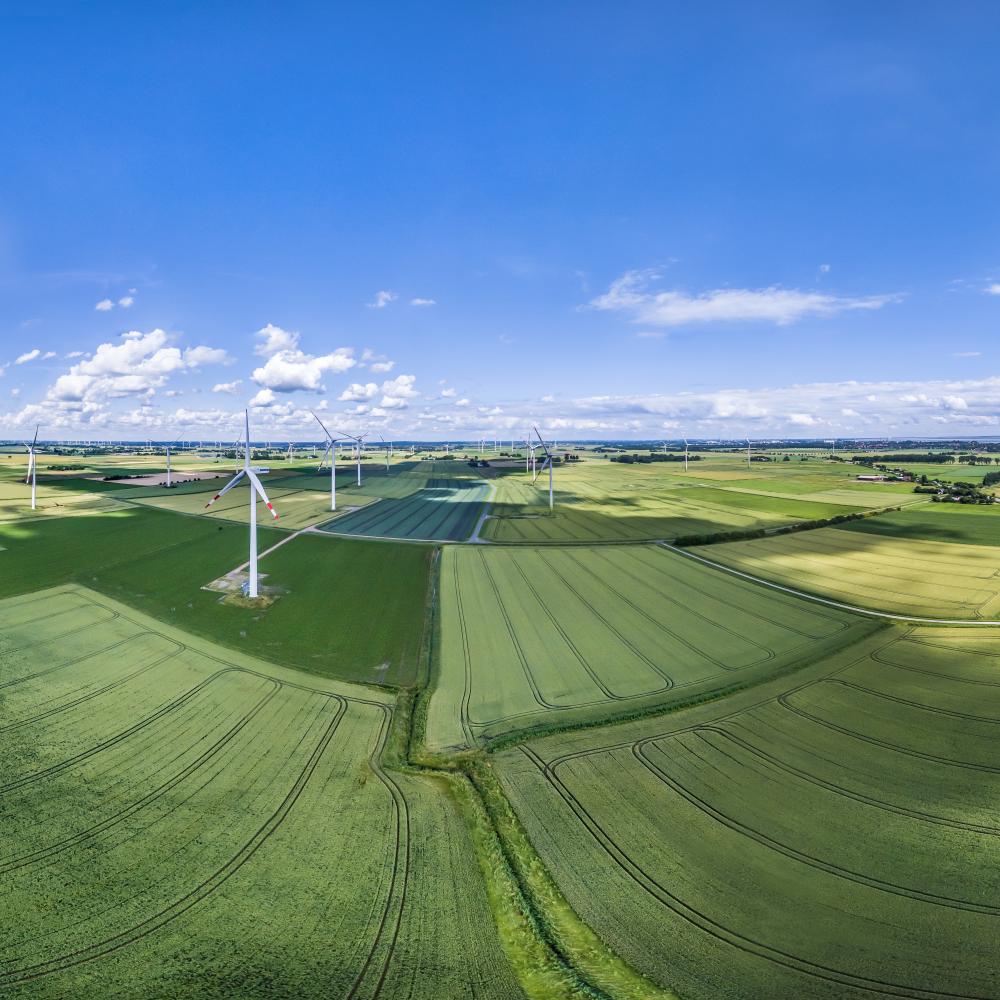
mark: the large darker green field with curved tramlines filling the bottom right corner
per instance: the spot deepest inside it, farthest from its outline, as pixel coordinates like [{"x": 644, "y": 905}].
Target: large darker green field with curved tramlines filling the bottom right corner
[{"x": 827, "y": 835}]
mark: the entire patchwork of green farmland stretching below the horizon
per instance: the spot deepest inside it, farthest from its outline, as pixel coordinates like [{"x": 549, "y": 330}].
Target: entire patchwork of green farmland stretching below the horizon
[{"x": 676, "y": 773}]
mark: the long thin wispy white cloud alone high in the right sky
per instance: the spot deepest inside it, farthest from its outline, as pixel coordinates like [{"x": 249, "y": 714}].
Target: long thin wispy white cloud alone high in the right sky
[{"x": 632, "y": 296}]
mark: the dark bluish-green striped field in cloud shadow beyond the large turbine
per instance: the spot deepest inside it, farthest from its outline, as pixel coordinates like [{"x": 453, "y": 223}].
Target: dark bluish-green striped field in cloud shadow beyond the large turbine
[{"x": 444, "y": 510}]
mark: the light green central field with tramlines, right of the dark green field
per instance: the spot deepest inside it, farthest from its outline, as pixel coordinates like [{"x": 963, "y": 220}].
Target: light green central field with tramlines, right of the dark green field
[{"x": 531, "y": 637}]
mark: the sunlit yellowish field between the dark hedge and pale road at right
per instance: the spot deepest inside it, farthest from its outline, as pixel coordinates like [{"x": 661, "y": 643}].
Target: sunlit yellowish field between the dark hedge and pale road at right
[{"x": 878, "y": 570}]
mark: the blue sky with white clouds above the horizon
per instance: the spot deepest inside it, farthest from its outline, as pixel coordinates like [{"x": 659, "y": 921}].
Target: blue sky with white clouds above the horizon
[{"x": 447, "y": 219}]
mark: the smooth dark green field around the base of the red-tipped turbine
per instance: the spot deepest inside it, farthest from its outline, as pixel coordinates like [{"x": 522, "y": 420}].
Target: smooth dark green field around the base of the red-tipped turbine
[{"x": 325, "y": 621}]
